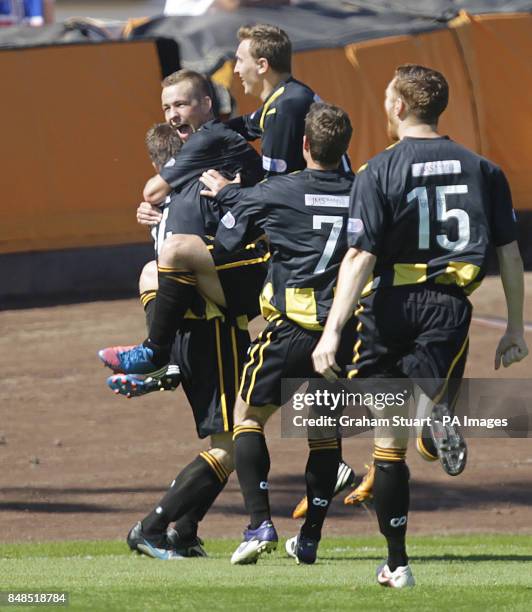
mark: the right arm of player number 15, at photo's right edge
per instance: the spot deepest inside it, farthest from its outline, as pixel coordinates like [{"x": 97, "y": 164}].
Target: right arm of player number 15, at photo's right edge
[{"x": 512, "y": 346}]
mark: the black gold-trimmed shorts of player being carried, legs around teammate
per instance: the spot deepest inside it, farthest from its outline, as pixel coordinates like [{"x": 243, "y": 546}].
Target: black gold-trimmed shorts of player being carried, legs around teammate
[{"x": 242, "y": 274}]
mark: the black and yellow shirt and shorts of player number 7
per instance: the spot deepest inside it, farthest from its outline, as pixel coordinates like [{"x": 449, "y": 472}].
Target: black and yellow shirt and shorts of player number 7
[{"x": 304, "y": 216}]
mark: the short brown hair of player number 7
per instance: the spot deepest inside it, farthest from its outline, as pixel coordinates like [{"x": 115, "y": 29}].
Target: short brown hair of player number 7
[{"x": 329, "y": 131}]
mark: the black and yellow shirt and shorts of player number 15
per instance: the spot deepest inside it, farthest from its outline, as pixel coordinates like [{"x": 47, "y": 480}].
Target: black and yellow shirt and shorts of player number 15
[{"x": 429, "y": 209}]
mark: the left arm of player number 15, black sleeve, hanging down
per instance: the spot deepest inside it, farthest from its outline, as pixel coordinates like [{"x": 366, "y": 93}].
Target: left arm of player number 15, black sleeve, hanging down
[{"x": 365, "y": 228}]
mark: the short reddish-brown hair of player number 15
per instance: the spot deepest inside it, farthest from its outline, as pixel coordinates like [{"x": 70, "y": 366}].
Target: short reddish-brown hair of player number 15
[{"x": 425, "y": 91}]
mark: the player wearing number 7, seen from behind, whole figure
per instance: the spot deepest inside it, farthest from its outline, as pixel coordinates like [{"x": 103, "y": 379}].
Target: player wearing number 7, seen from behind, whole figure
[{"x": 304, "y": 216}]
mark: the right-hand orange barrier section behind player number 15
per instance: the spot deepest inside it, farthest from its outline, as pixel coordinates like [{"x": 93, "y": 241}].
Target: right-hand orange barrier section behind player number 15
[{"x": 488, "y": 63}]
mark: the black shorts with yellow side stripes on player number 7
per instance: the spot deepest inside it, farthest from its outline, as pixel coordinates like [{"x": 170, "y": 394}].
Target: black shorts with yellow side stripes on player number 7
[{"x": 284, "y": 350}]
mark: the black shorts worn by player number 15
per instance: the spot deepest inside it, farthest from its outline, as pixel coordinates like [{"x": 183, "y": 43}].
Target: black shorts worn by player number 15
[{"x": 419, "y": 332}]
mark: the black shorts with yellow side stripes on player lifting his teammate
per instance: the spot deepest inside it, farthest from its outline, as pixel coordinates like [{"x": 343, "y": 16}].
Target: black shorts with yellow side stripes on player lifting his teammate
[{"x": 211, "y": 355}]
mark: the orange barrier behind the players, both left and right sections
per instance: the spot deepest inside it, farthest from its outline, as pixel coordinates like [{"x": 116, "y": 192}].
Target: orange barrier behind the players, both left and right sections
[{"x": 74, "y": 119}]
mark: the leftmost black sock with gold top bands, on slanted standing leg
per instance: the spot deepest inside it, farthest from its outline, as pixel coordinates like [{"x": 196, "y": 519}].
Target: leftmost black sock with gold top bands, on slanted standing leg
[{"x": 196, "y": 482}]
